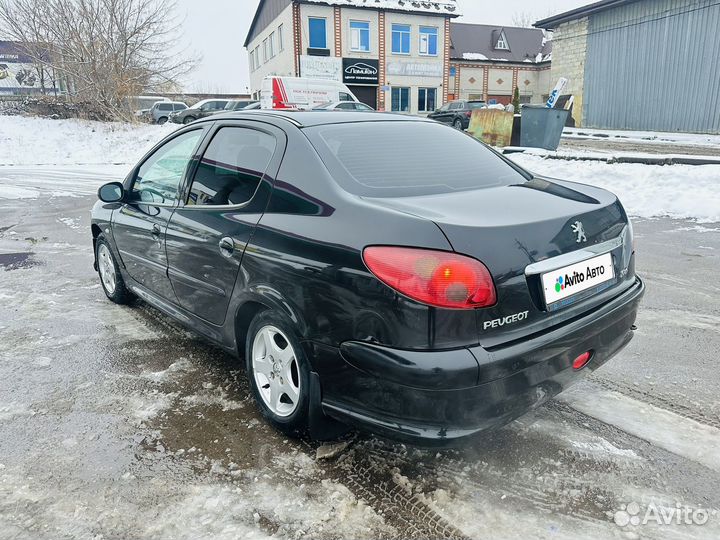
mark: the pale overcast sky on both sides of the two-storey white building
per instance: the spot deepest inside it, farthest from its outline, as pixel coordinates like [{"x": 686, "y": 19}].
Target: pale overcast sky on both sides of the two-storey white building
[{"x": 217, "y": 28}]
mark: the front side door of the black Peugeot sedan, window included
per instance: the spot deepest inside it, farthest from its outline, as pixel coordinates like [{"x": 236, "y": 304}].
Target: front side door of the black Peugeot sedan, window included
[{"x": 152, "y": 195}]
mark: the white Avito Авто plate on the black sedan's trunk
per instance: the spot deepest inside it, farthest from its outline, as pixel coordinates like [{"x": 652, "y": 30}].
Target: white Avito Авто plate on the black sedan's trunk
[{"x": 576, "y": 278}]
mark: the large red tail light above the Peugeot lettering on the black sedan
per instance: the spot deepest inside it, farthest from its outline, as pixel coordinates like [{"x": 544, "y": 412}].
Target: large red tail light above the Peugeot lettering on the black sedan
[{"x": 436, "y": 278}]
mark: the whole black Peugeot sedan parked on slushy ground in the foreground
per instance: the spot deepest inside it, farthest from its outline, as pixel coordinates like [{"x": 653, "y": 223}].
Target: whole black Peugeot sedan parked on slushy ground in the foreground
[{"x": 367, "y": 281}]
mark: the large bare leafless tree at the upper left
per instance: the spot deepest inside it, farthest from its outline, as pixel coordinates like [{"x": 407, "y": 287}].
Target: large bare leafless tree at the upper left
[{"x": 105, "y": 50}]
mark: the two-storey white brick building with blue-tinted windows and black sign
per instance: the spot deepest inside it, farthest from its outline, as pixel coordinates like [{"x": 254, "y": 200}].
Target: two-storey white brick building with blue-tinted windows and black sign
[{"x": 393, "y": 54}]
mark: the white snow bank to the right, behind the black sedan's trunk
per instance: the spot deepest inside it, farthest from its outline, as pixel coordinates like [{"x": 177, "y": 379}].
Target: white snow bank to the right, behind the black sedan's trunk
[{"x": 676, "y": 191}]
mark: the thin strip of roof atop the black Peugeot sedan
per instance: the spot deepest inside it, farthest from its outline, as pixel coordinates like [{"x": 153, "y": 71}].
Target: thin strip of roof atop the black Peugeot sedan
[{"x": 317, "y": 118}]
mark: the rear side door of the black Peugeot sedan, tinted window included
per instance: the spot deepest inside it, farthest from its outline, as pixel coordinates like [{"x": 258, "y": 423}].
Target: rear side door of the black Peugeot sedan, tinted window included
[{"x": 222, "y": 204}]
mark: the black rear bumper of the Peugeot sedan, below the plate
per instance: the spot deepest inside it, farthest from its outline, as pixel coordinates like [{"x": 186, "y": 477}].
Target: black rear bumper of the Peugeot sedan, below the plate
[{"x": 437, "y": 397}]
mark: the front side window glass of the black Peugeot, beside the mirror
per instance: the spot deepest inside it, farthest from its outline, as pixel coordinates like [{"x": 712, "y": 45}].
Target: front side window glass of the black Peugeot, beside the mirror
[{"x": 159, "y": 177}]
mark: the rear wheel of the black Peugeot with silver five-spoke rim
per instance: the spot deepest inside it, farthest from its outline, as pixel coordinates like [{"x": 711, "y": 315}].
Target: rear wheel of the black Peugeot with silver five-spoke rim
[{"x": 281, "y": 390}]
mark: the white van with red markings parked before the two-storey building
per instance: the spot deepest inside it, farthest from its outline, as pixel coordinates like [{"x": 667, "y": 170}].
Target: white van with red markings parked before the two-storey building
[{"x": 300, "y": 93}]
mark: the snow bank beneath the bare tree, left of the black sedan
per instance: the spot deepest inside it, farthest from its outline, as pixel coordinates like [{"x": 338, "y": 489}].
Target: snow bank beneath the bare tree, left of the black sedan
[{"x": 38, "y": 141}]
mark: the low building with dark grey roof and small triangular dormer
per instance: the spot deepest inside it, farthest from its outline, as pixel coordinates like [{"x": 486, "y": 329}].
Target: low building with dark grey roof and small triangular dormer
[{"x": 488, "y": 62}]
